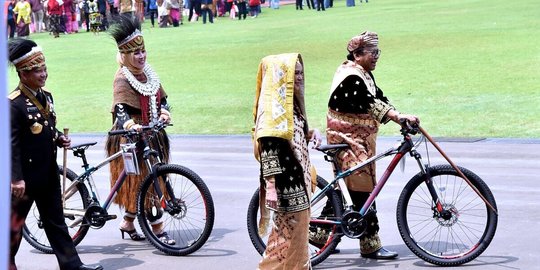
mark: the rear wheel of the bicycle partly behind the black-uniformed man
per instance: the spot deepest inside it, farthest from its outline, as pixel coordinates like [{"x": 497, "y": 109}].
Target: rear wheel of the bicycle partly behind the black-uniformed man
[{"x": 33, "y": 231}]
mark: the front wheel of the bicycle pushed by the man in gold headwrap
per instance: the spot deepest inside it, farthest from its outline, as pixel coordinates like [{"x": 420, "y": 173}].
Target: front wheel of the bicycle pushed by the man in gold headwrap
[{"x": 453, "y": 241}]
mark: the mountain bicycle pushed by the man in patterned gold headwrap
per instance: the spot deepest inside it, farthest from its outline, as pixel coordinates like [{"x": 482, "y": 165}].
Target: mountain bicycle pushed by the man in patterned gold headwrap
[{"x": 446, "y": 214}]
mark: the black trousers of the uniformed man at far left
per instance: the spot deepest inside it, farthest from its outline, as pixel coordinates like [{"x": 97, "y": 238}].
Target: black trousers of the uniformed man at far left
[{"x": 48, "y": 200}]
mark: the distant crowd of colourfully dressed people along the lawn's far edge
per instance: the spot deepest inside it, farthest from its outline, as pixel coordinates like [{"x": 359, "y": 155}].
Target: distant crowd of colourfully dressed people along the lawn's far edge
[{"x": 24, "y": 17}]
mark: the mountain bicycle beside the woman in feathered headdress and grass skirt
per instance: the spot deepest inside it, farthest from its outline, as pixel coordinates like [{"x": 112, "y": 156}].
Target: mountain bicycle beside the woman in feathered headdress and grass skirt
[{"x": 170, "y": 192}]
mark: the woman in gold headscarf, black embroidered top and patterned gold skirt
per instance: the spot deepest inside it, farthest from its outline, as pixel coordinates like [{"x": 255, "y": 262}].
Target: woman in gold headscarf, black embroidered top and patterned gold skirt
[{"x": 281, "y": 135}]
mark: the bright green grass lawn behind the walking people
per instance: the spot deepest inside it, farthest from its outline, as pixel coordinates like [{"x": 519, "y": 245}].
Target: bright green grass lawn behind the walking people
[{"x": 466, "y": 67}]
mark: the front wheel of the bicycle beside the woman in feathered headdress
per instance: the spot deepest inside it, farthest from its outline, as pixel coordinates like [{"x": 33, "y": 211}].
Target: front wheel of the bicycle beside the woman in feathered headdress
[{"x": 193, "y": 225}]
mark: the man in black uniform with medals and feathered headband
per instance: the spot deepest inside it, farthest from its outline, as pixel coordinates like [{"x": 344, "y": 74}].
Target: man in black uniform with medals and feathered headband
[{"x": 34, "y": 171}]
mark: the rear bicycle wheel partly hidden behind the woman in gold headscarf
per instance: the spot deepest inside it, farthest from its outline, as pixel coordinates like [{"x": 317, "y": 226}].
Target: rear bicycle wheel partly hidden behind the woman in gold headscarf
[{"x": 319, "y": 250}]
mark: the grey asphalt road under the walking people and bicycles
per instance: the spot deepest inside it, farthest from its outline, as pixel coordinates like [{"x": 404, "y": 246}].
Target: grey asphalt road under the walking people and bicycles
[{"x": 509, "y": 167}]
